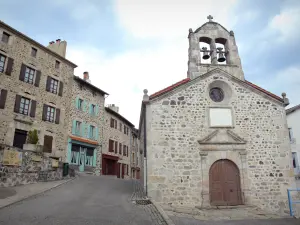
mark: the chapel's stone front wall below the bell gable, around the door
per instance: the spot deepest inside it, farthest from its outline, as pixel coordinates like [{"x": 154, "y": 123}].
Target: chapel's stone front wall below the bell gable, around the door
[{"x": 178, "y": 169}]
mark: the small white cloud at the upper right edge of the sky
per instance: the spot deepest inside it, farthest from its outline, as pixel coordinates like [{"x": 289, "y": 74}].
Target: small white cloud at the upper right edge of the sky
[{"x": 286, "y": 24}]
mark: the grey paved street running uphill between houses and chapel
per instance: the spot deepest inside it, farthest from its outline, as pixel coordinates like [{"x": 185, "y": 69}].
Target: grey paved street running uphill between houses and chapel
[{"x": 87, "y": 200}]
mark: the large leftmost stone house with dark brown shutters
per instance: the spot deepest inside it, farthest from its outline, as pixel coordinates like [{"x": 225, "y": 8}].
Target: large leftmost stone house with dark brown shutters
[{"x": 35, "y": 84}]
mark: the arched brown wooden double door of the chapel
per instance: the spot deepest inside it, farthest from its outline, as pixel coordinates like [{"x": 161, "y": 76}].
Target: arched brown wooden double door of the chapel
[{"x": 224, "y": 183}]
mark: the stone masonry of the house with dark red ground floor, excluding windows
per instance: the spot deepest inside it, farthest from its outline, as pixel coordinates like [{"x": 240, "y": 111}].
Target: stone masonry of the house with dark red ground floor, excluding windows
[{"x": 120, "y": 137}]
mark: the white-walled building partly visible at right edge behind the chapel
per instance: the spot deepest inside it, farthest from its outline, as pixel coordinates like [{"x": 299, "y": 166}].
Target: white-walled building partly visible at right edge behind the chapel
[{"x": 293, "y": 120}]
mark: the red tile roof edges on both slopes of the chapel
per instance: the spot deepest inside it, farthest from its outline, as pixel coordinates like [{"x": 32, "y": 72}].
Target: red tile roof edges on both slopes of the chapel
[{"x": 173, "y": 86}]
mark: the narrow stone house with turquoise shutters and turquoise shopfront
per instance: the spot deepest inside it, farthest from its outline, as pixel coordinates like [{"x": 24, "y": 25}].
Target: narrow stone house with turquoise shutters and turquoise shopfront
[{"x": 86, "y": 125}]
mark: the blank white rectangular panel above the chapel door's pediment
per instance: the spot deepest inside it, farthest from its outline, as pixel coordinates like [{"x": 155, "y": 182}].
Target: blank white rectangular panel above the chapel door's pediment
[{"x": 220, "y": 117}]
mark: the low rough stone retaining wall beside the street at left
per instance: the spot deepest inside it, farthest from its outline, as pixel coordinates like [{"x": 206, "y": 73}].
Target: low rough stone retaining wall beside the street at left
[{"x": 29, "y": 171}]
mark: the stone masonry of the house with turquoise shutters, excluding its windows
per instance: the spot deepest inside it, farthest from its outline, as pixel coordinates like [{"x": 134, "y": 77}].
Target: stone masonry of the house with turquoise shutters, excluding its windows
[{"x": 90, "y": 96}]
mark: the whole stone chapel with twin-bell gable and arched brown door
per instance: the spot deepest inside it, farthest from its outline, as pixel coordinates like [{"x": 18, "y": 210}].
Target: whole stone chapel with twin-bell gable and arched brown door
[{"x": 214, "y": 138}]
